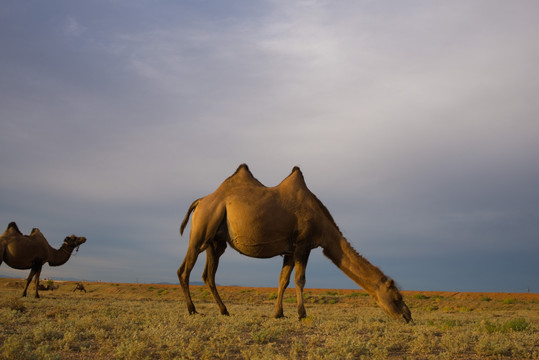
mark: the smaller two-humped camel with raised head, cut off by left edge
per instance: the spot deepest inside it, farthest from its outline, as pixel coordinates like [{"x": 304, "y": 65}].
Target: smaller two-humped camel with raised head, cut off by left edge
[{"x": 33, "y": 251}]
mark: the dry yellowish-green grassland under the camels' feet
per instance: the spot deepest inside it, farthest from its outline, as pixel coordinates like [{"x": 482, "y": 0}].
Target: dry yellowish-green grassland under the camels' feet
[{"x": 141, "y": 321}]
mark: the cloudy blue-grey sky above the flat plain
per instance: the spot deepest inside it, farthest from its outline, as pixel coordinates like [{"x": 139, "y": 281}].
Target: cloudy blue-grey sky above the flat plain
[{"x": 416, "y": 124}]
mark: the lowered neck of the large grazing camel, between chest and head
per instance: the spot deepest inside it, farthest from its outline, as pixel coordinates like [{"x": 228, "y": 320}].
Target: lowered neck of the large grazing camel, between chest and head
[{"x": 355, "y": 266}]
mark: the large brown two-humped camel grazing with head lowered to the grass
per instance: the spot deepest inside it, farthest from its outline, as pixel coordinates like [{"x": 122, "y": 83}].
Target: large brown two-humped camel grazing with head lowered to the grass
[{"x": 264, "y": 222}]
